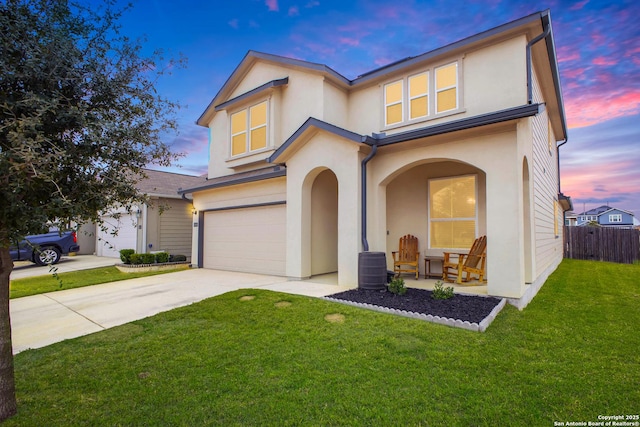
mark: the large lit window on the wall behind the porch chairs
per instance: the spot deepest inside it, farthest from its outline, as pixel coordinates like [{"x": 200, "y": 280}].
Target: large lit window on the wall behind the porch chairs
[{"x": 452, "y": 212}]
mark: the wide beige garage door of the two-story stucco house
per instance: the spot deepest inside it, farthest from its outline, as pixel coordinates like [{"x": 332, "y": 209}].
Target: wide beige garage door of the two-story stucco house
[{"x": 248, "y": 239}]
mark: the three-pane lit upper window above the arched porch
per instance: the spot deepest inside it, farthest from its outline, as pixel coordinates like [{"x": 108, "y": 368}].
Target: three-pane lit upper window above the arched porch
[{"x": 410, "y": 99}]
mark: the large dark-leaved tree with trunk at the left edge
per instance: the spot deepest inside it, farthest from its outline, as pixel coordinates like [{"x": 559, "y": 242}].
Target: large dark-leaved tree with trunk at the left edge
[{"x": 79, "y": 118}]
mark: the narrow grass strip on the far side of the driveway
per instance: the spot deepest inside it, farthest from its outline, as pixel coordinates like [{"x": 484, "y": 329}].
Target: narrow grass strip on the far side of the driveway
[{"x": 73, "y": 279}]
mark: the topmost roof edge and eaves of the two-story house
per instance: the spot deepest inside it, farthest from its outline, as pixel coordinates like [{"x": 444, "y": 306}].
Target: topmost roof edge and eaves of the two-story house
[{"x": 531, "y": 23}]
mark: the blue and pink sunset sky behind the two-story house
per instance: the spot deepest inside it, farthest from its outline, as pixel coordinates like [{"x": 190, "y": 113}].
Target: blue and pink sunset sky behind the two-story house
[{"x": 598, "y": 47}]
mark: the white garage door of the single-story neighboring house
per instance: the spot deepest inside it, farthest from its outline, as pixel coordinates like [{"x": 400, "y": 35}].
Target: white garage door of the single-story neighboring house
[{"x": 108, "y": 245}]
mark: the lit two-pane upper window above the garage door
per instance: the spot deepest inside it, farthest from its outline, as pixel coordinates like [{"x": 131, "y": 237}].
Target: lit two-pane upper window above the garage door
[{"x": 249, "y": 129}]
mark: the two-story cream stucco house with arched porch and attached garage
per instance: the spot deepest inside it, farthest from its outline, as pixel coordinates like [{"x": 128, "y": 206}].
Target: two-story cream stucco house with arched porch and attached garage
[{"x": 308, "y": 168}]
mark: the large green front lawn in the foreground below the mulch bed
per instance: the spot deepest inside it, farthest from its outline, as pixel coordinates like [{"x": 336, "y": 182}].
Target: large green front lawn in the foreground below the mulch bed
[{"x": 571, "y": 355}]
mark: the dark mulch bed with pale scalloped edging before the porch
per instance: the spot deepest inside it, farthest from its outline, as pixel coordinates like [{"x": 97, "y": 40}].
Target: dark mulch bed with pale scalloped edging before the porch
[{"x": 461, "y": 307}]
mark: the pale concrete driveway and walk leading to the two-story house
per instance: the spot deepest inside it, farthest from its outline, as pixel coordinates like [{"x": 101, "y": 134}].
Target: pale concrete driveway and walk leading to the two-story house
[{"x": 44, "y": 319}]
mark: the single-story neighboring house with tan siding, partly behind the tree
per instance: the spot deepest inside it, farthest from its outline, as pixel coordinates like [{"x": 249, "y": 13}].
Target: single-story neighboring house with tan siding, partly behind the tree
[{"x": 163, "y": 225}]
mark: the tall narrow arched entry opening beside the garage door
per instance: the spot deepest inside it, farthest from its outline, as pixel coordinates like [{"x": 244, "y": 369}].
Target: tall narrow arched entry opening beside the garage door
[{"x": 324, "y": 223}]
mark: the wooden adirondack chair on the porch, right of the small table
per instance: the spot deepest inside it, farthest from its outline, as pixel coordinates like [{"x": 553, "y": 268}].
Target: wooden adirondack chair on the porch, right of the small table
[{"x": 456, "y": 264}]
